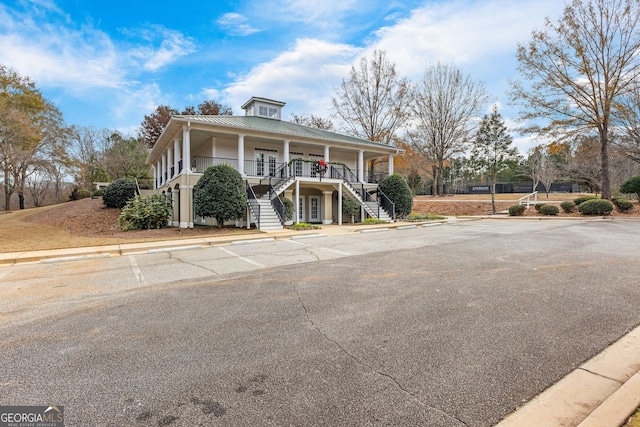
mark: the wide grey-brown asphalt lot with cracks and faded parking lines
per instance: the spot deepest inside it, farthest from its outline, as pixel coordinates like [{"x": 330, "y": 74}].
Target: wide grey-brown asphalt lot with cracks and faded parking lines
[{"x": 455, "y": 325}]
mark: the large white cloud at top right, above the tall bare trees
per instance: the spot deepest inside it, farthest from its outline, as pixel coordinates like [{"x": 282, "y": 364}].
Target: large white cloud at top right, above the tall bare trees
[{"x": 462, "y": 32}]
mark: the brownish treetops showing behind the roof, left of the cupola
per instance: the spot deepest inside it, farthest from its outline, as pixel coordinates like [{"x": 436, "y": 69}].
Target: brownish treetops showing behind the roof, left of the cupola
[{"x": 153, "y": 124}]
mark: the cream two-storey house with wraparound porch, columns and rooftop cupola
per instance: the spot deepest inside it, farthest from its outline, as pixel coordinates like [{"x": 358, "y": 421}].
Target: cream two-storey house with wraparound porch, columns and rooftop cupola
[{"x": 313, "y": 168}]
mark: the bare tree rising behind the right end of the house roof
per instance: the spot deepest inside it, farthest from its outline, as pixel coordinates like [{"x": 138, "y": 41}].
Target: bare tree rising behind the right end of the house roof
[{"x": 373, "y": 102}]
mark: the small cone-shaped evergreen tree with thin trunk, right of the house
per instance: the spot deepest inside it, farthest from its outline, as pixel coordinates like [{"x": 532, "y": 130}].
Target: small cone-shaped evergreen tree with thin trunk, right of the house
[{"x": 492, "y": 151}]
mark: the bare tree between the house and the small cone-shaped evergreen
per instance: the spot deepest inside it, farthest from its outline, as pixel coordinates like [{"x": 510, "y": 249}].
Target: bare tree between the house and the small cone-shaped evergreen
[{"x": 444, "y": 106}]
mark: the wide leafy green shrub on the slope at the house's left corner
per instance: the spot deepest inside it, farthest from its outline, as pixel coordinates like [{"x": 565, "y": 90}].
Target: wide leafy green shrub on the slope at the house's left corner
[{"x": 143, "y": 213}]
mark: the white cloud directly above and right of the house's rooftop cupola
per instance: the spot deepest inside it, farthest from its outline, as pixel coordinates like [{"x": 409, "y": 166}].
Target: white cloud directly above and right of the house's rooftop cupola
[{"x": 303, "y": 77}]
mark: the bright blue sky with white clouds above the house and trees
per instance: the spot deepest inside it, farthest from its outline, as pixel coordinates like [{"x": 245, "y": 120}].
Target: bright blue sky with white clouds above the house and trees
[{"x": 107, "y": 64}]
